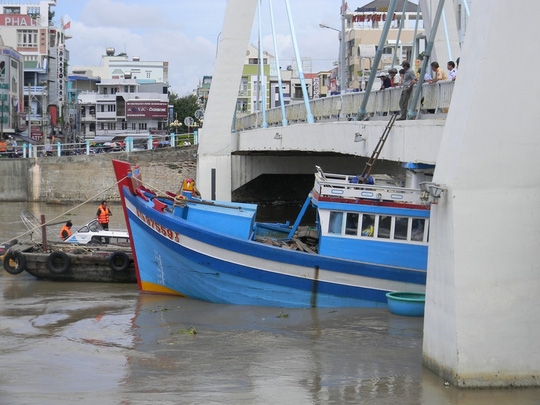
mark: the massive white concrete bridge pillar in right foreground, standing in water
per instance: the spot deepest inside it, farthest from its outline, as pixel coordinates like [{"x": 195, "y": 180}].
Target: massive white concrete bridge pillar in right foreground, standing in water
[{"x": 482, "y": 323}]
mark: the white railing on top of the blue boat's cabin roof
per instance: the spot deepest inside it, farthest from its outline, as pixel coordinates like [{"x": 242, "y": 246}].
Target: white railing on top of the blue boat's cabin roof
[{"x": 331, "y": 185}]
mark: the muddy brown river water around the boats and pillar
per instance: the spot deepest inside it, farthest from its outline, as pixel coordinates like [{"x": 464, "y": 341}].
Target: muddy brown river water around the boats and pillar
[{"x": 90, "y": 343}]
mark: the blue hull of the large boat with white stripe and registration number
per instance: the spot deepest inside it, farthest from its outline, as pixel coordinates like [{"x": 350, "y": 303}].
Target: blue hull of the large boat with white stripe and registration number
[{"x": 174, "y": 256}]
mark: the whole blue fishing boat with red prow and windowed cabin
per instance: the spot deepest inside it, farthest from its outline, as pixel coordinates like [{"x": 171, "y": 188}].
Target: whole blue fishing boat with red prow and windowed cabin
[{"x": 367, "y": 240}]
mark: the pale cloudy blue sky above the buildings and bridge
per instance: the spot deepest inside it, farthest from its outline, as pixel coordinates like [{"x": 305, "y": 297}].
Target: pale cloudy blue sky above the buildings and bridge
[{"x": 185, "y": 33}]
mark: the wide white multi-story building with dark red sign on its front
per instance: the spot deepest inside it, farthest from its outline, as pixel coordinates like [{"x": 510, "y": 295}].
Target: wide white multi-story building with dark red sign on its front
[{"x": 120, "y": 98}]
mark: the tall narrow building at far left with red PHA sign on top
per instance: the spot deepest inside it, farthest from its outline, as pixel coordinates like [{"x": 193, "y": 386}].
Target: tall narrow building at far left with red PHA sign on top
[{"x": 29, "y": 28}]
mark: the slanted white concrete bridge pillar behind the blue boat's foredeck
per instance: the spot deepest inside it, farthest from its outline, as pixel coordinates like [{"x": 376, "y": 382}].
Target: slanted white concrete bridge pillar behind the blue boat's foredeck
[{"x": 216, "y": 140}]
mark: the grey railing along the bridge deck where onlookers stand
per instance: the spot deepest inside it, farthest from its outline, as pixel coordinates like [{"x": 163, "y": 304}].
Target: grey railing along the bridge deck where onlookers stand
[{"x": 434, "y": 98}]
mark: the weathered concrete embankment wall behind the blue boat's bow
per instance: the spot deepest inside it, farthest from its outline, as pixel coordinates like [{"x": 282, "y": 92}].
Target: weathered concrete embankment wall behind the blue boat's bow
[{"x": 82, "y": 178}]
